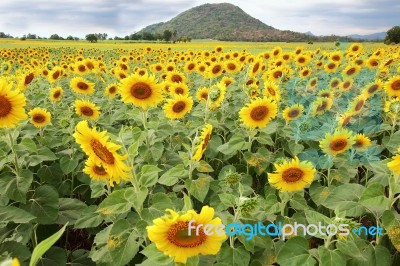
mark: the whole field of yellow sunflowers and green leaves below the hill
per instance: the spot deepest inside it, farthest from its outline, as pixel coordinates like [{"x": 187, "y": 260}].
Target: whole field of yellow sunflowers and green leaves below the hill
[{"x": 200, "y": 154}]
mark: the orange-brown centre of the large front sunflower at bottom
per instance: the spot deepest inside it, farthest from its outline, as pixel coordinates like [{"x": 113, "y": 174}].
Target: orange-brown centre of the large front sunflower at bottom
[{"x": 179, "y": 236}]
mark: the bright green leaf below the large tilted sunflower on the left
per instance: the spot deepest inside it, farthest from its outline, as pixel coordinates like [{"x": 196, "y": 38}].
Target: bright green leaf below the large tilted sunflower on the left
[{"x": 119, "y": 201}]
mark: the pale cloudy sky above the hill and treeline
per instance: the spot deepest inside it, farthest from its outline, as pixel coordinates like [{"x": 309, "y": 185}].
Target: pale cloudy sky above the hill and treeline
[{"x": 123, "y": 17}]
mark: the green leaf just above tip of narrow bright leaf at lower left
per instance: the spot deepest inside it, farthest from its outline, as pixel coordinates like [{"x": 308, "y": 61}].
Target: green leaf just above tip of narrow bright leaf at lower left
[{"x": 69, "y": 210}]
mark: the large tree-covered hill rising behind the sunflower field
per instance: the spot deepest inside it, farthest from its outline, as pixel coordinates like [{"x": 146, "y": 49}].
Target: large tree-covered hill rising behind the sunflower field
[{"x": 225, "y": 22}]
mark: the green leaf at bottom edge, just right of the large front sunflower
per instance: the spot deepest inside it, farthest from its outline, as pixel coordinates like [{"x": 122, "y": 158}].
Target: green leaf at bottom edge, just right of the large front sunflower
[{"x": 237, "y": 256}]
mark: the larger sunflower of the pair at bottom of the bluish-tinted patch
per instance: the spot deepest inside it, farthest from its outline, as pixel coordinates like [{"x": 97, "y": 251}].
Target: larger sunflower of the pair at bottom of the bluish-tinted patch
[{"x": 338, "y": 142}]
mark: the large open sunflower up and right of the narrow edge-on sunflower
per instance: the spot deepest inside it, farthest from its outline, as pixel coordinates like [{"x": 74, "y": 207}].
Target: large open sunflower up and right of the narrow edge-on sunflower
[{"x": 259, "y": 112}]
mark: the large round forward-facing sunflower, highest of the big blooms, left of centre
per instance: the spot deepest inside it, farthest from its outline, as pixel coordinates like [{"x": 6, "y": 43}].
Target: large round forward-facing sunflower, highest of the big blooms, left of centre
[{"x": 141, "y": 91}]
